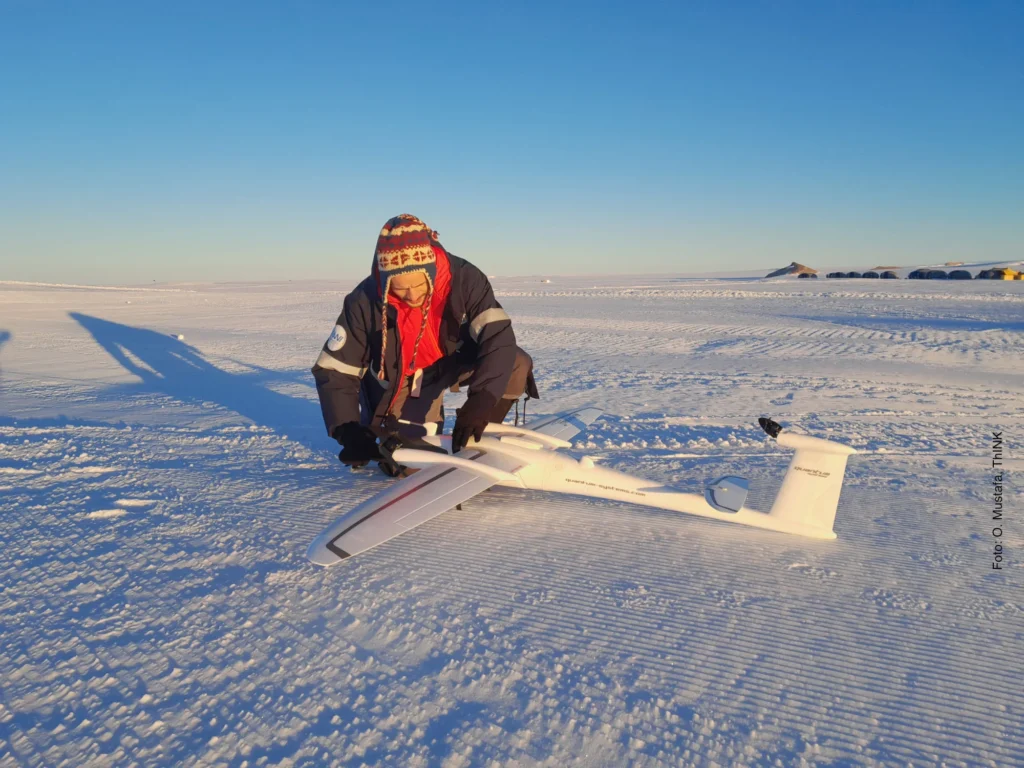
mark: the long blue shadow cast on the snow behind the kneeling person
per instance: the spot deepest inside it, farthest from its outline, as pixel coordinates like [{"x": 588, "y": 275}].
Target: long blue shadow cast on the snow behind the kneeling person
[{"x": 170, "y": 367}]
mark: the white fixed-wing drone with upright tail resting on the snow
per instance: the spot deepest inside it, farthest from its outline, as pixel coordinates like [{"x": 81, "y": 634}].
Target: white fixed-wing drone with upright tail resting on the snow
[{"x": 521, "y": 458}]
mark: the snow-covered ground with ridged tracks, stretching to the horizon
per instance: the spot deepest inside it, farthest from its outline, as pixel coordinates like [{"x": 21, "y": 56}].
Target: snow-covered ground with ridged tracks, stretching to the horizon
[{"x": 163, "y": 470}]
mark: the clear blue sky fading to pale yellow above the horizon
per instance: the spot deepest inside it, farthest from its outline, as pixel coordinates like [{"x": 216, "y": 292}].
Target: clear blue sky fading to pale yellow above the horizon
[{"x": 253, "y": 141}]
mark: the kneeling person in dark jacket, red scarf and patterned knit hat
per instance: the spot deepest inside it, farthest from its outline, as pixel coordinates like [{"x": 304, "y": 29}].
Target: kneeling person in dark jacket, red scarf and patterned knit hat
[{"x": 423, "y": 322}]
